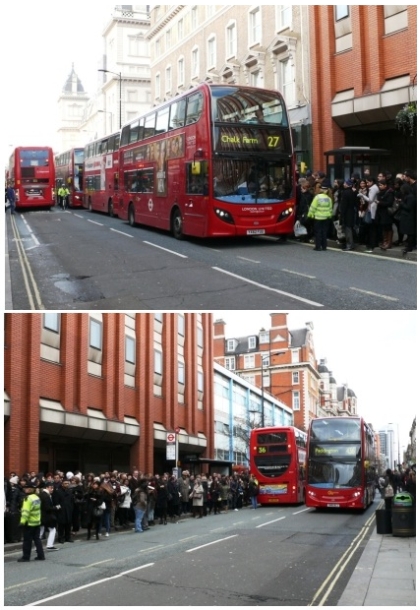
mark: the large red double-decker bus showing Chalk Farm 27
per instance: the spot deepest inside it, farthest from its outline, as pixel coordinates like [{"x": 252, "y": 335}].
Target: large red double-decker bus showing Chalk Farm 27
[{"x": 216, "y": 161}]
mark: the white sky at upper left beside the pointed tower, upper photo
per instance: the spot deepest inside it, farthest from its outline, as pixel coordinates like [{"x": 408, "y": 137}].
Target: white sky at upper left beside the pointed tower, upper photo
[{"x": 40, "y": 44}]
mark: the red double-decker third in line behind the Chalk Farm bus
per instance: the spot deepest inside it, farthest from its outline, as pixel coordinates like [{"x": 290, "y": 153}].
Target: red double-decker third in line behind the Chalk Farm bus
[{"x": 69, "y": 171}]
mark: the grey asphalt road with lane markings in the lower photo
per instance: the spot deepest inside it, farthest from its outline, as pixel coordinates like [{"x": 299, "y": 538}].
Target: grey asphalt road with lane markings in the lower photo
[{"x": 274, "y": 556}]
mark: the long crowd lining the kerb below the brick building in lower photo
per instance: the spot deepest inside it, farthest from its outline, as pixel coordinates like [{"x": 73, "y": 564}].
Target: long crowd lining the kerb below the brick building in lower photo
[{"x": 70, "y": 501}]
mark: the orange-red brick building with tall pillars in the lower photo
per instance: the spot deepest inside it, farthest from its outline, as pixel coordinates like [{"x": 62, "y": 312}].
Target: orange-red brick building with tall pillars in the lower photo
[{"x": 98, "y": 391}]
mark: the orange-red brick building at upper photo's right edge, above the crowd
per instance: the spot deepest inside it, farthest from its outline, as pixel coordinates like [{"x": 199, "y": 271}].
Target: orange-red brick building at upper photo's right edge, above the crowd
[{"x": 363, "y": 71}]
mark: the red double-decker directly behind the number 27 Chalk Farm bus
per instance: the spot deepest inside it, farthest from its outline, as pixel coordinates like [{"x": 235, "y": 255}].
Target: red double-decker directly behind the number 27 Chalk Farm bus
[{"x": 101, "y": 175}]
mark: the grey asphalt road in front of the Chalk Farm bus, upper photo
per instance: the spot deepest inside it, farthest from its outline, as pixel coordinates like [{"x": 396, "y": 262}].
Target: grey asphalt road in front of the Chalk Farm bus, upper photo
[{"x": 77, "y": 260}]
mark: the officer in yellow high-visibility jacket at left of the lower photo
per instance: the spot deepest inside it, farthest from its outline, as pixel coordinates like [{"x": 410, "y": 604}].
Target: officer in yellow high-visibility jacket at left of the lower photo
[{"x": 30, "y": 520}]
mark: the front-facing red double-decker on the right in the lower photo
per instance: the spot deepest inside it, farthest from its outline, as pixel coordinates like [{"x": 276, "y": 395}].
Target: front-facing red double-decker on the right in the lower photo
[{"x": 340, "y": 463}]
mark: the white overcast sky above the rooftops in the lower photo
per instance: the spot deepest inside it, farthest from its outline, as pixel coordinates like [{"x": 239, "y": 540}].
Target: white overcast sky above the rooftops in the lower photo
[{"x": 372, "y": 351}]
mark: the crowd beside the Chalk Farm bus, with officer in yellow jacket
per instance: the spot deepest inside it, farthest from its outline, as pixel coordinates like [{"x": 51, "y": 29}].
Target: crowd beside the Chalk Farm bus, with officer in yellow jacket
[{"x": 365, "y": 210}]
